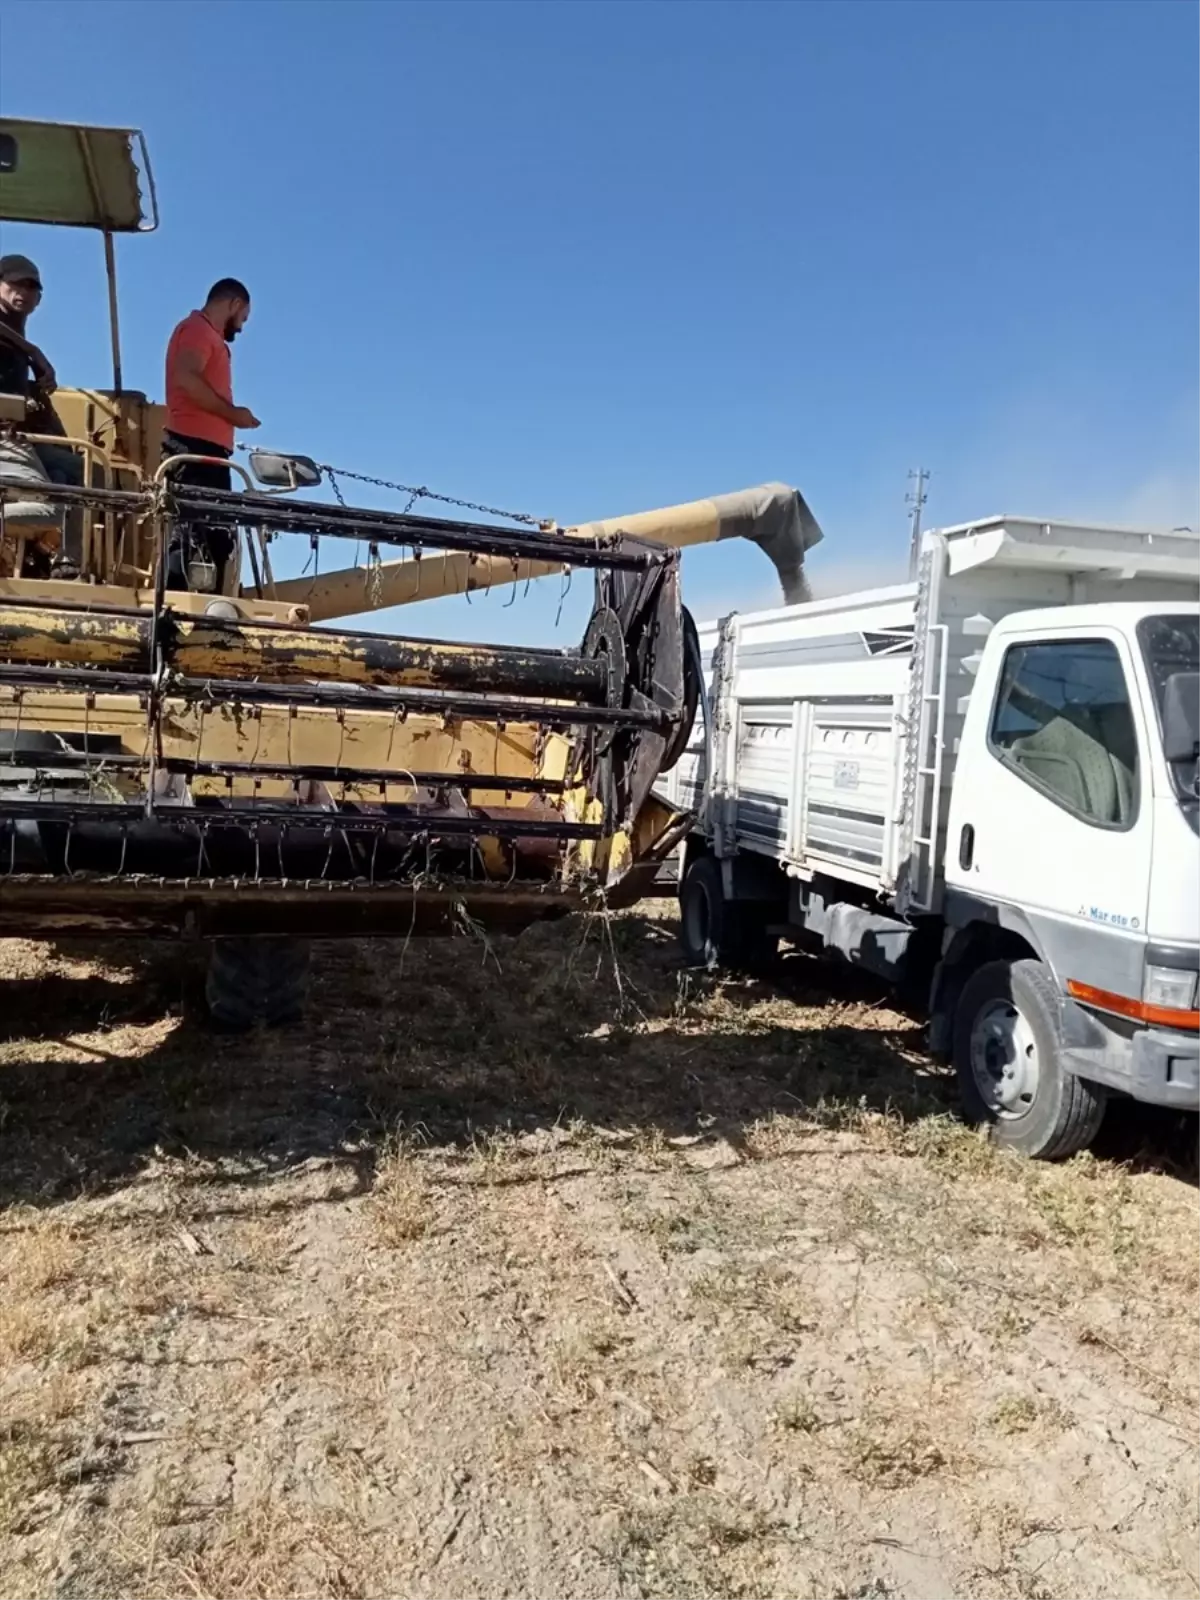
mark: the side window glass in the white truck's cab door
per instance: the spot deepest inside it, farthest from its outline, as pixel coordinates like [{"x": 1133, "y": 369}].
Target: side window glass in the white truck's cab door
[{"x": 1065, "y": 724}]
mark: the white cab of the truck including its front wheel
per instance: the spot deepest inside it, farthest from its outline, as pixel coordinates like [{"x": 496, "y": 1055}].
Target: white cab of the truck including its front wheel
[{"x": 1071, "y": 956}]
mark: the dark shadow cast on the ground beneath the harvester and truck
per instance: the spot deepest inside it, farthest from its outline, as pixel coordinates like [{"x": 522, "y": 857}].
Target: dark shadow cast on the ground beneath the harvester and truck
[{"x": 454, "y": 1042}]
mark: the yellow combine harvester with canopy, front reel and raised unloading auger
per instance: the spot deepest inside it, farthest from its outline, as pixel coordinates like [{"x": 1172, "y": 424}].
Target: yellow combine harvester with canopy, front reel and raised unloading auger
[{"x": 212, "y": 766}]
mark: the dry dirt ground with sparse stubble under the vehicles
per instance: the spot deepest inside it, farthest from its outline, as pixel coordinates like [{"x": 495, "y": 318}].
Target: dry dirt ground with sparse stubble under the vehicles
[{"x": 551, "y": 1271}]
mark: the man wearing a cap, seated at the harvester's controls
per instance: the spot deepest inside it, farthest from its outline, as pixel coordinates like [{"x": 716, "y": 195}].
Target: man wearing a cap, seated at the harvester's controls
[{"x": 26, "y": 372}]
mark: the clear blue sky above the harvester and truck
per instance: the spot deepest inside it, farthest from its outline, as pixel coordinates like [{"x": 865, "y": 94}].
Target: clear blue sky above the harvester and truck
[{"x": 586, "y": 260}]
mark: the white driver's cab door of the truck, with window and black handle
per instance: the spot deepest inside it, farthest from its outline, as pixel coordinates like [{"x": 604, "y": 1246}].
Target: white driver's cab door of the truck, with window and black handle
[{"x": 1050, "y": 812}]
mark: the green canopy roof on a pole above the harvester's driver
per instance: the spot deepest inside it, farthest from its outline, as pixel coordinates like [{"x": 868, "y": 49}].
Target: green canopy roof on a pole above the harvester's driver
[{"x": 54, "y": 172}]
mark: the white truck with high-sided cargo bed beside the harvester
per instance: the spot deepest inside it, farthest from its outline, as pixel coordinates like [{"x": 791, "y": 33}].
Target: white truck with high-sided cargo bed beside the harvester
[{"x": 988, "y": 783}]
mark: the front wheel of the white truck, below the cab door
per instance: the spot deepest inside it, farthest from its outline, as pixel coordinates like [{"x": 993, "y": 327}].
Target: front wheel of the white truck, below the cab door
[{"x": 1007, "y": 1055}]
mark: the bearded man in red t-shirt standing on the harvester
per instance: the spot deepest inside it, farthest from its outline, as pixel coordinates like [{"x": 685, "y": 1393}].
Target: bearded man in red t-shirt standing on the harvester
[{"x": 201, "y": 422}]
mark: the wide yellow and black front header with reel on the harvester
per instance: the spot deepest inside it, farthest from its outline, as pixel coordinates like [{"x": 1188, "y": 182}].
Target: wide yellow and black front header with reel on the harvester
[{"x": 225, "y": 770}]
